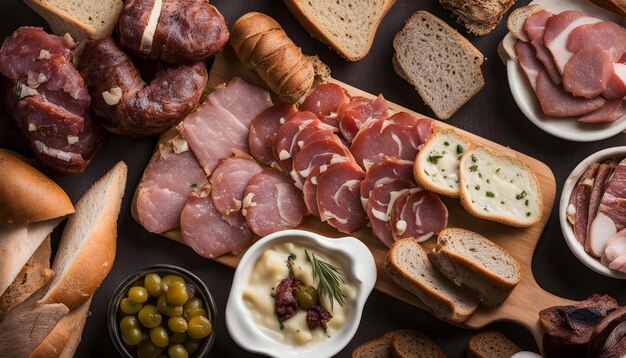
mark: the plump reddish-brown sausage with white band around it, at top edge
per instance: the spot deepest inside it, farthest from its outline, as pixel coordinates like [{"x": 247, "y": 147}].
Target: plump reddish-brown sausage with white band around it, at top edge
[{"x": 174, "y": 31}]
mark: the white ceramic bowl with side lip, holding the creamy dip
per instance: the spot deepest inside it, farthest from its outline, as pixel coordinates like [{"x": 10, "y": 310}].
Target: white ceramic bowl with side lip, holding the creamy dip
[{"x": 250, "y": 336}]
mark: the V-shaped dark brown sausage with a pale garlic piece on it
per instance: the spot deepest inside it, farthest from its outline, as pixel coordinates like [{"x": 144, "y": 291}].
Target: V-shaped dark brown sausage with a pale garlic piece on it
[{"x": 124, "y": 104}]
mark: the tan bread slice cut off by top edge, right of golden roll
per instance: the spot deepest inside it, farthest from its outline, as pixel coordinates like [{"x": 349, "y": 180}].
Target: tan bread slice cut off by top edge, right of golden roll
[{"x": 348, "y": 26}]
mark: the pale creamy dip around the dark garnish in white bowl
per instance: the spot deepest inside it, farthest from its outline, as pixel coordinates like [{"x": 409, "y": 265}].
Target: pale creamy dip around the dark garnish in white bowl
[{"x": 268, "y": 271}]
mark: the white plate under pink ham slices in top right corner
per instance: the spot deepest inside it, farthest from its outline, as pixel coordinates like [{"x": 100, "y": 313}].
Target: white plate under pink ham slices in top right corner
[{"x": 524, "y": 95}]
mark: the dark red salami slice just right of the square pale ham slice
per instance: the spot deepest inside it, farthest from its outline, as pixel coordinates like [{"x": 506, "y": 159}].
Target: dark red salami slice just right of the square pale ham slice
[{"x": 263, "y": 130}]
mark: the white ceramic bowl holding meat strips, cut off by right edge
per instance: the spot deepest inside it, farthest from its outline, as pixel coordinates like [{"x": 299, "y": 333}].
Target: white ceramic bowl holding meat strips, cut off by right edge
[{"x": 578, "y": 250}]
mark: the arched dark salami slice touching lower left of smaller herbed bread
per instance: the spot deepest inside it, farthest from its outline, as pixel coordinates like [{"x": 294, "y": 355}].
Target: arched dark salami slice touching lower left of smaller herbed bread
[{"x": 384, "y": 171}]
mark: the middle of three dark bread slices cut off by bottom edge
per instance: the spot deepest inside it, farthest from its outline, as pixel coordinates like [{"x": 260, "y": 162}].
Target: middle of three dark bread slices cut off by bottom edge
[{"x": 412, "y": 344}]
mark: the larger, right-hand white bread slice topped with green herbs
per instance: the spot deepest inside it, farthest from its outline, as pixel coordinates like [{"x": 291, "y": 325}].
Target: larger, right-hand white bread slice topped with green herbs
[{"x": 500, "y": 188}]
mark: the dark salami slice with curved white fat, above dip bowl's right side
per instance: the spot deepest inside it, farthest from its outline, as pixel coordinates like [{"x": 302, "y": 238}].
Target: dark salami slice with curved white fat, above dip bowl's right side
[{"x": 338, "y": 197}]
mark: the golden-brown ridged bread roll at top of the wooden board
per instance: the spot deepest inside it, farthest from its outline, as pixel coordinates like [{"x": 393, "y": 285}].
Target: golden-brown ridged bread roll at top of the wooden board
[{"x": 263, "y": 46}]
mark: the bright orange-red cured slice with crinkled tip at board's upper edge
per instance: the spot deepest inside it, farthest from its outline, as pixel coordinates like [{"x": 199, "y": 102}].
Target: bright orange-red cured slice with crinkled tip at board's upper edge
[{"x": 359, "y": 112}]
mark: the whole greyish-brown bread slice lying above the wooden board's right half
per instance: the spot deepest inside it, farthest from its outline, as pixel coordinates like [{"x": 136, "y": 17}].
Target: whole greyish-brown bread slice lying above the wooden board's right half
[{"x": 442, "y": 65}]
